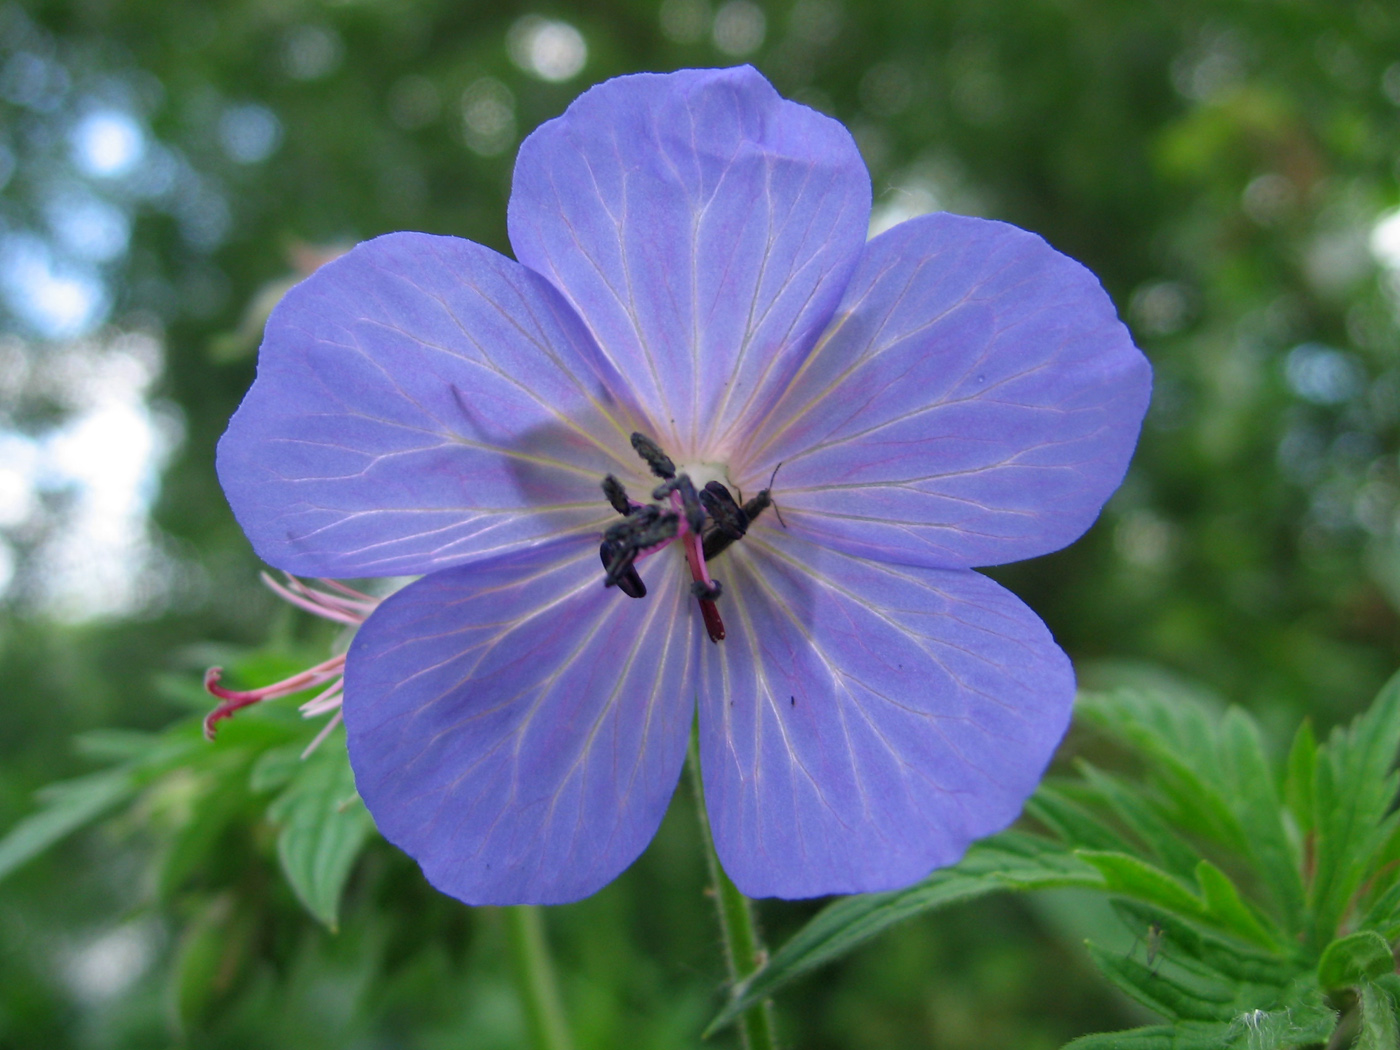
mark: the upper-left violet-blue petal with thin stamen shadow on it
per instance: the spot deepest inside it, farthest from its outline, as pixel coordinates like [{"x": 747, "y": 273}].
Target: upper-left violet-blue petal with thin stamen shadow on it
[{"x": 421, "y": 402}]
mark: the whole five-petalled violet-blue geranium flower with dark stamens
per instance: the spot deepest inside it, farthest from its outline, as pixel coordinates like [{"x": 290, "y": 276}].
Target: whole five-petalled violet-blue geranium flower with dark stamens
[{"x": 692, "y": 271}]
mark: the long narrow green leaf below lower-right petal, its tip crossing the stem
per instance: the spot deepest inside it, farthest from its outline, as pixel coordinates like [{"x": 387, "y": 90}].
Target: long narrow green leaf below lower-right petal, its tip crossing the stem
[{"x": 1009, "y": 862}]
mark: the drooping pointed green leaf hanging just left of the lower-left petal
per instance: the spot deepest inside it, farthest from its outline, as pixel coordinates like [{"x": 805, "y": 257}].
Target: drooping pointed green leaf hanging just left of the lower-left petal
[{"x": 324, "y": 827}]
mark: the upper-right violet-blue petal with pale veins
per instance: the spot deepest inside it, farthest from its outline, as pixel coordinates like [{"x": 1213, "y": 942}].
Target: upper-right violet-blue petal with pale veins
[{"x": 975, "y": 402}]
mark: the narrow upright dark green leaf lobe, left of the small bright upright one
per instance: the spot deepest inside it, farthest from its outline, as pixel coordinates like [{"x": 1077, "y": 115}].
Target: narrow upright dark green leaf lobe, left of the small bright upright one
[{"x": 1258, "y": 806}]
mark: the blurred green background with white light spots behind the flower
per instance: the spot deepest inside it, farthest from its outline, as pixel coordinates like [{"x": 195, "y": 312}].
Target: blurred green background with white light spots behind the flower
[{"x": 167, "y": 169}]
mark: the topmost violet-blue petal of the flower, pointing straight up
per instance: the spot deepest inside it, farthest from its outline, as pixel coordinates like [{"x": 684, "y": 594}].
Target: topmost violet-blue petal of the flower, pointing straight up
[{"x": 703, "y": 227}]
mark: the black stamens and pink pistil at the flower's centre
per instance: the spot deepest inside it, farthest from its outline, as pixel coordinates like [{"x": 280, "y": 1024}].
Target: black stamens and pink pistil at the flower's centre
[{"x": 694, "y": 507}]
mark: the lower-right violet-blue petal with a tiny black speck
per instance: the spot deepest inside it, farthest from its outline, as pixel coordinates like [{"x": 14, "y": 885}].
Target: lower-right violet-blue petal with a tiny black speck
[{"x": 864, "y": 723}]
